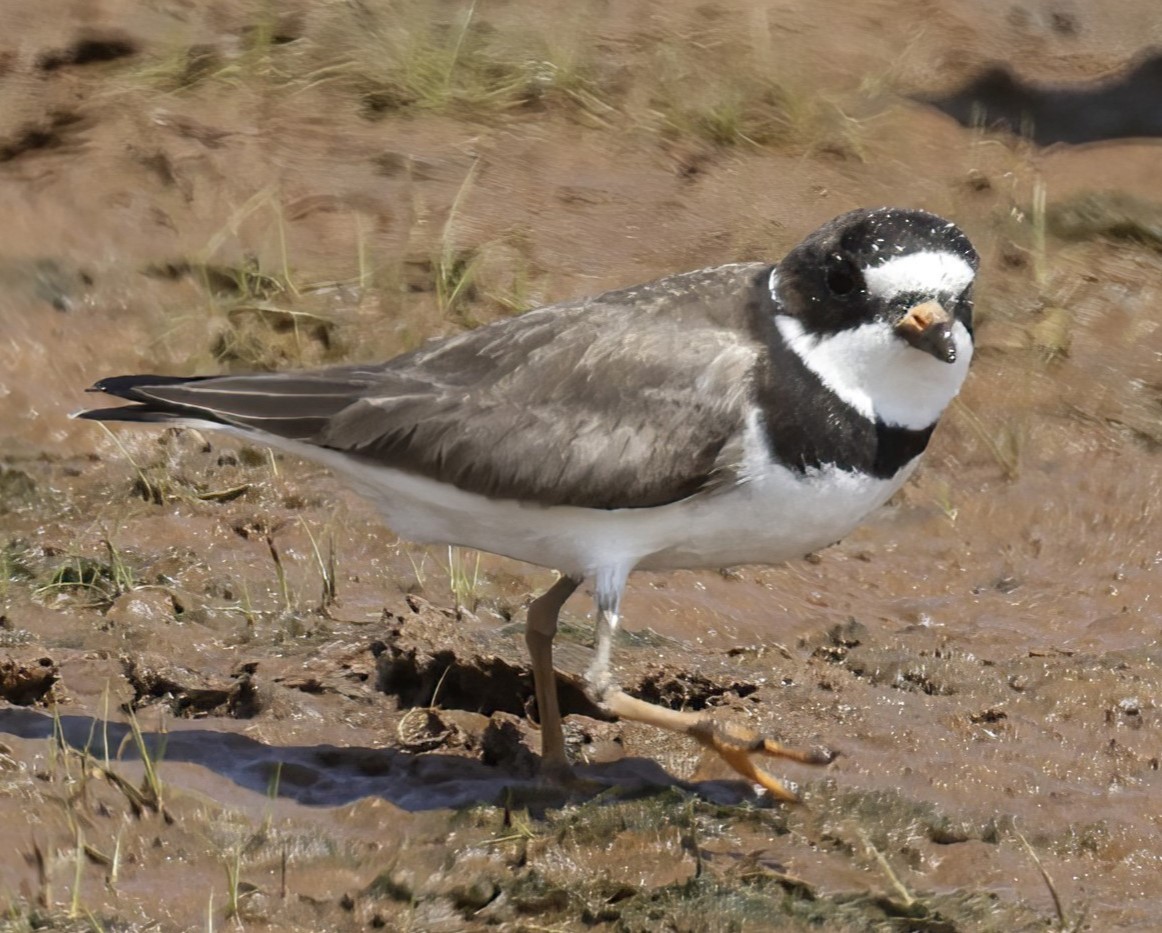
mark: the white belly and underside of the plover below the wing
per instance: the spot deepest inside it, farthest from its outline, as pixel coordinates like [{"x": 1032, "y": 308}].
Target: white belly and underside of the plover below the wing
[{"x": 776, "y": 515}]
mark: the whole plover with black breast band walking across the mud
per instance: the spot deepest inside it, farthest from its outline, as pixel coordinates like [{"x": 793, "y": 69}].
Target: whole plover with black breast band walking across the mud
[{"x": 745, "y": 414}]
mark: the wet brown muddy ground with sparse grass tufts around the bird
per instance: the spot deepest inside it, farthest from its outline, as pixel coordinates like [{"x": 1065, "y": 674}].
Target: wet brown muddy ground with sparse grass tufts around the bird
[{"x": 232, "y": 699}]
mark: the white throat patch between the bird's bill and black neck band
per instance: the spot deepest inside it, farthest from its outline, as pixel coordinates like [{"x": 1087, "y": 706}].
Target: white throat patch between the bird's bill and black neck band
[{"x": 879, "y": 375}]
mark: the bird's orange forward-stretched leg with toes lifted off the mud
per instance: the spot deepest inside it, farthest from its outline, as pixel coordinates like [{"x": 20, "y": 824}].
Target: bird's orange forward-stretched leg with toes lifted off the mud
[{"x": 733, "y": 743}]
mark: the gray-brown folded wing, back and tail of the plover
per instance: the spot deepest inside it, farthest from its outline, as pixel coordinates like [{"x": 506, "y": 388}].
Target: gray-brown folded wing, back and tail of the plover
[{"x": 626, "y": 400}]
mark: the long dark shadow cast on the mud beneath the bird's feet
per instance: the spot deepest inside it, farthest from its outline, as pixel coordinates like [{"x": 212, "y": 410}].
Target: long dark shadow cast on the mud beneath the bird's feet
[{"x": 332, "y": 776}]
